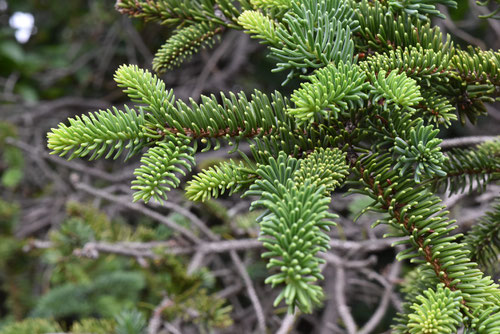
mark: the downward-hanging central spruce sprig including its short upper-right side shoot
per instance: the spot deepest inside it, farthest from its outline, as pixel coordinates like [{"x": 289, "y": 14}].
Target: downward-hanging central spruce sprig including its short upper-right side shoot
[{"x": 296, "y": 217}]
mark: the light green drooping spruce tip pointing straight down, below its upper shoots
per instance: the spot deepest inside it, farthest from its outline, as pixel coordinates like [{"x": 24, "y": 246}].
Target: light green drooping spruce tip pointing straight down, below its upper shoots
[{"x": 293, "y": 227}]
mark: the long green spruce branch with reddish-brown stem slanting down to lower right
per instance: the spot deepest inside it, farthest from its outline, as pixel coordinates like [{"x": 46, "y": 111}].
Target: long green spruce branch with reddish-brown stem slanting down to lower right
[{"x": 414, "y": 212}]
